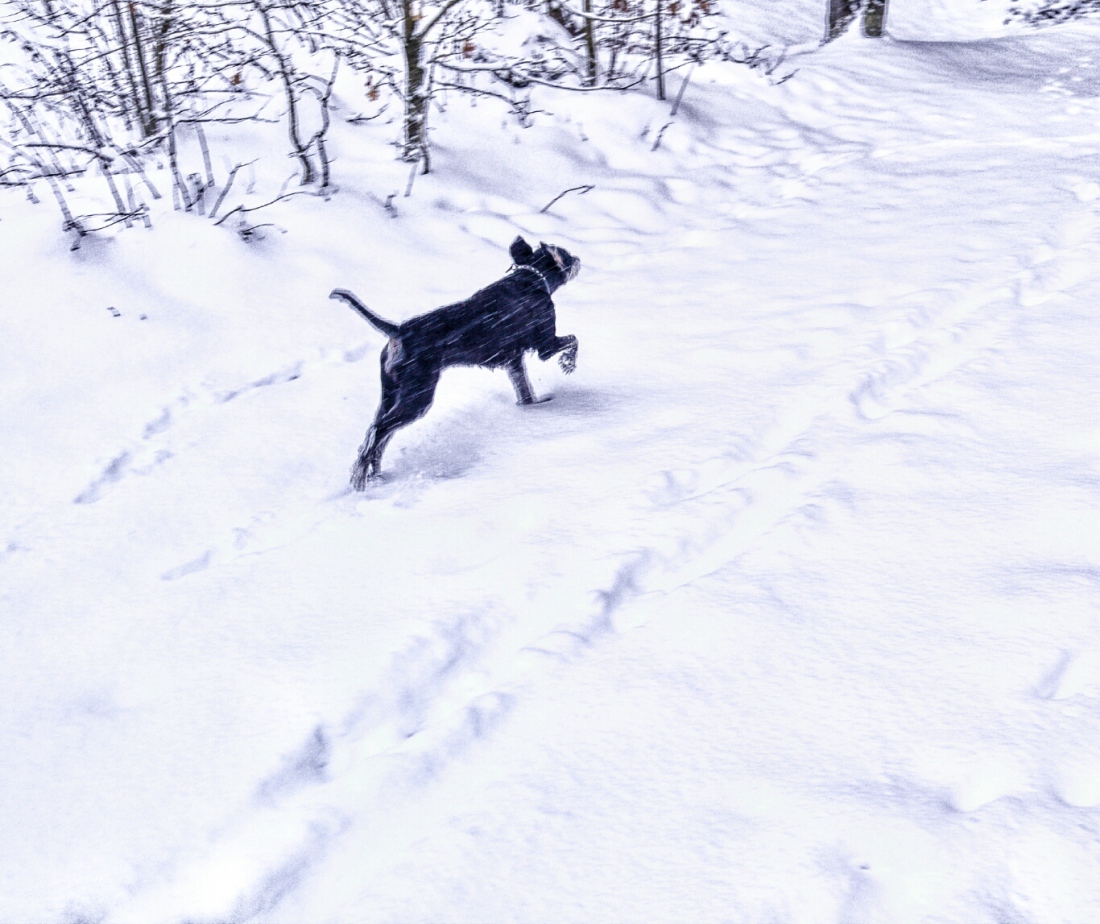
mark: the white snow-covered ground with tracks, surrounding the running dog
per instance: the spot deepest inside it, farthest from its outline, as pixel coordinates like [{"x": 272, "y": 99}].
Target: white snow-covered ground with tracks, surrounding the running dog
[{"x": 784, "y": 610}]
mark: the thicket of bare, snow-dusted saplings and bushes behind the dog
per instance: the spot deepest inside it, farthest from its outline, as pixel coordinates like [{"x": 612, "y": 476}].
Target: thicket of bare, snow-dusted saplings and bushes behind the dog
[{"x": 95, "y": 92}]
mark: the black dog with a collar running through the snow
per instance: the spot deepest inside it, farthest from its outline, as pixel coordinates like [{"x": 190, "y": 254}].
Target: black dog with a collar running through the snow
[{"x": 492, "y": 328}]
